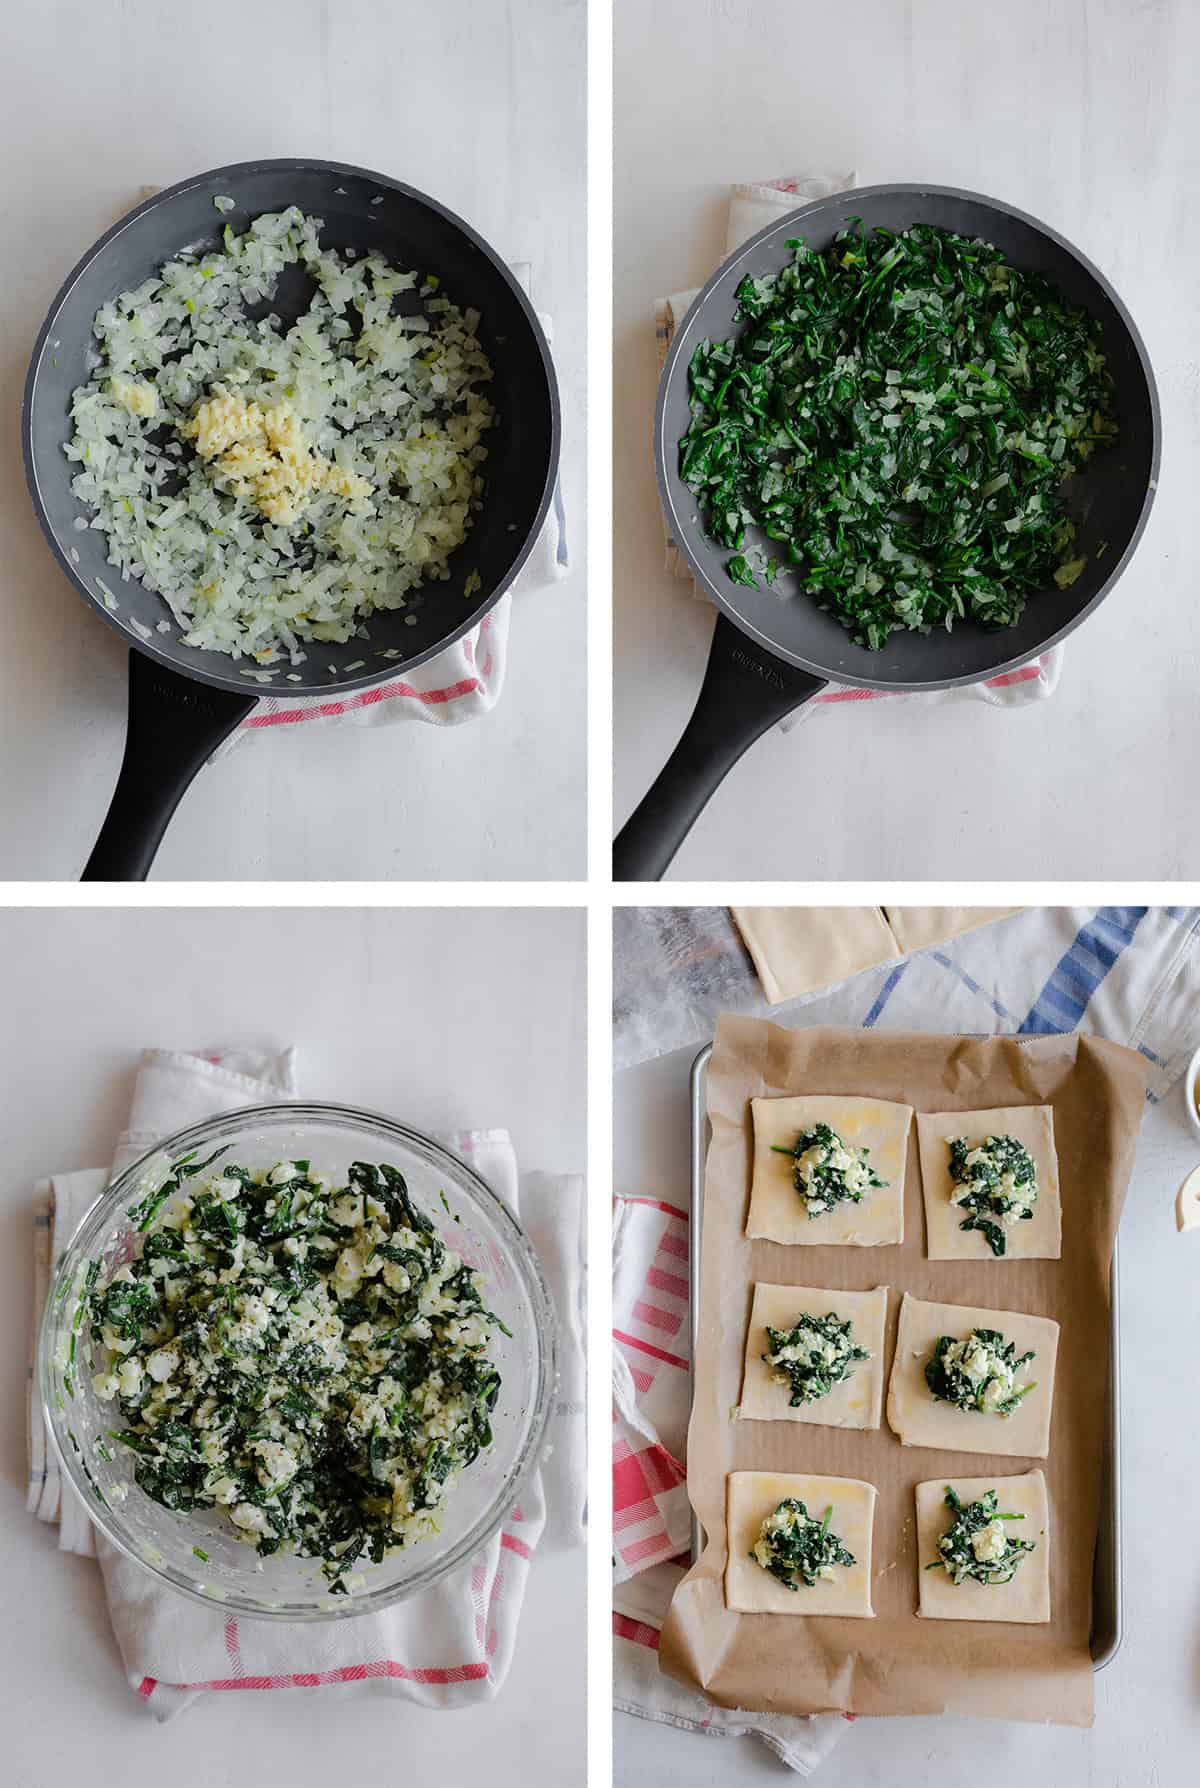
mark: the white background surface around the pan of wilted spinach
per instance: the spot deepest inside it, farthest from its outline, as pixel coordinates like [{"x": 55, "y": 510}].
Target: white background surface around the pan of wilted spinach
[{"x": 1081, "y": 112}]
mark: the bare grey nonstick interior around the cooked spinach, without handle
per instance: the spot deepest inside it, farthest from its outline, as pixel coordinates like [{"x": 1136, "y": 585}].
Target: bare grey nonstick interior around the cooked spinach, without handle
[{"x": 1110, "y": 502}]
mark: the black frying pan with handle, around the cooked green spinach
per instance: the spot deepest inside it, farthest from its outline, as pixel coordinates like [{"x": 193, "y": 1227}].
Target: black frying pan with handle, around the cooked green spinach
[{"x": 773, "y": 652}]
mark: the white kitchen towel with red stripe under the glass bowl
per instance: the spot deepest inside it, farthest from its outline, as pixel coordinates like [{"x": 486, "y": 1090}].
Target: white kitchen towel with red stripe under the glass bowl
[{"x": 450, "y": 1646}]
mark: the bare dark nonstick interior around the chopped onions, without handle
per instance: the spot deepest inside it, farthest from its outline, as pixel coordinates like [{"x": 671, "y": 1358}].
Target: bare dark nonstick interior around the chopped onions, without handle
[{"x": 368, "y": 214}]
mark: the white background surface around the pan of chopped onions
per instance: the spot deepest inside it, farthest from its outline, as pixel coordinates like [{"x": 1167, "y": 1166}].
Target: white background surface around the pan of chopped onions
[{"x": 482, "y": 106}]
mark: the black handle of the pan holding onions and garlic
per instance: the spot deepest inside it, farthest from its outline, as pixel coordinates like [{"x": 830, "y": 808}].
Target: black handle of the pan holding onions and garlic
[{"x": 174, "y": 727}]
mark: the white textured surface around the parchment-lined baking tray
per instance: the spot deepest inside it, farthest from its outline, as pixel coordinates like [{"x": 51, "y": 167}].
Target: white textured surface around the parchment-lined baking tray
[{"x": 1147, "y": 1712}]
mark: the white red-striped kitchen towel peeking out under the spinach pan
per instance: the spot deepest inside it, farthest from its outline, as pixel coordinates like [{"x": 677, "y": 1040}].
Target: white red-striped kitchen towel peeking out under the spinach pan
[{"x": 752, "y": 208}]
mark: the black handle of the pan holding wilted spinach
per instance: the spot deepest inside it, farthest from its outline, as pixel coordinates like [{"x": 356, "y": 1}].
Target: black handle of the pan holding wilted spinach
[{"x": 745, "y": 693}]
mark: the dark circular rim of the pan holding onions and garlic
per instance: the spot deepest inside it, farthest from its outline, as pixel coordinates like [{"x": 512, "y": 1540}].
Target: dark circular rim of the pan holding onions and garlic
[{"x": 232, "y": 679}]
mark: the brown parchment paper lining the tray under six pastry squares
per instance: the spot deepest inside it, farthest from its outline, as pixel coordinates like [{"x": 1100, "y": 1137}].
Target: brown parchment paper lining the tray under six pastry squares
[{"x": 900, "y": 1664}]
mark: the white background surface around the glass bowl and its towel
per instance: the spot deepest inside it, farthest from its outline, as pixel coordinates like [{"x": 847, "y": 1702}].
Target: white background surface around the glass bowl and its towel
[{"x": 446, "y": 1020}]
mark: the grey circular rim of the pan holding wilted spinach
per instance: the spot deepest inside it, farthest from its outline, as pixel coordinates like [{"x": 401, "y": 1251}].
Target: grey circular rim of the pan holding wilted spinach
[{"x": 729, "y": 605}]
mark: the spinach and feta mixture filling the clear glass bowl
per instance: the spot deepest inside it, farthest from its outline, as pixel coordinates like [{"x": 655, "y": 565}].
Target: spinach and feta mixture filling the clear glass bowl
[{"x": 307, "y": 1356}]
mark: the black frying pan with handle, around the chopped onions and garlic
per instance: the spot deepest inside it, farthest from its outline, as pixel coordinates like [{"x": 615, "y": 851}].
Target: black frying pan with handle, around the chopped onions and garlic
[{"x": 182, "y": 700}]
